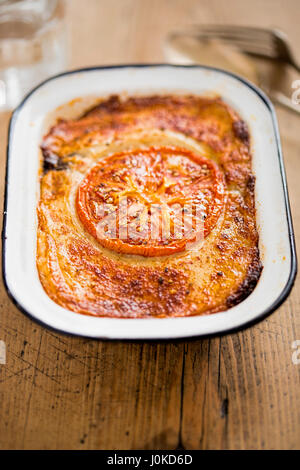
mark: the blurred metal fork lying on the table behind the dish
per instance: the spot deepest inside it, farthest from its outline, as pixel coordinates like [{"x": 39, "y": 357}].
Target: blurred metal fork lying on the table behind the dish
[{"x": 271, "y": 44}]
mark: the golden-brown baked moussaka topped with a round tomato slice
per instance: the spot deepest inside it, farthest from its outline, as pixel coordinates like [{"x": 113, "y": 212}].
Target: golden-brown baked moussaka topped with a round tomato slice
[{"x": 147, "y": 209}]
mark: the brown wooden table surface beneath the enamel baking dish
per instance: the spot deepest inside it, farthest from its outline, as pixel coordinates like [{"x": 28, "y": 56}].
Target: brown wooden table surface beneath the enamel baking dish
[{"x": 239, "y": 391}]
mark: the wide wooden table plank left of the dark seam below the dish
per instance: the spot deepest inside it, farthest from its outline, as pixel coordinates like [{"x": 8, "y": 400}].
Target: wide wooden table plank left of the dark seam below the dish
[{"x": 68, "y": 393}]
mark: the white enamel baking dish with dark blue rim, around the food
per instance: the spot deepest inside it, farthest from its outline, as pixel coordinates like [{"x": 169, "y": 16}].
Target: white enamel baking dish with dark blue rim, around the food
[{"x": 273, "y": 212}]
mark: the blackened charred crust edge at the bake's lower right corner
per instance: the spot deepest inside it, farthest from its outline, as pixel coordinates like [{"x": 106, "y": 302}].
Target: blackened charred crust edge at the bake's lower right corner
[{"x": 248, "y": 285}]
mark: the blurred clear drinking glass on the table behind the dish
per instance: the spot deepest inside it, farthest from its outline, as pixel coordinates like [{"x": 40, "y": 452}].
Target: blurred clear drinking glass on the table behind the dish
[{"x": 33, "y": 46}]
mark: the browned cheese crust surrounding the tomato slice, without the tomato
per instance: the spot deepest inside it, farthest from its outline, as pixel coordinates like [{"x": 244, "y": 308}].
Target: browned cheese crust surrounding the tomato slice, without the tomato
[{"x": 85, "y": 277}]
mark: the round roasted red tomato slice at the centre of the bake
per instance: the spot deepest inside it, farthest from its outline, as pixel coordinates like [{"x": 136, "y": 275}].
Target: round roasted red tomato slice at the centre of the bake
[{"x": 151, "y": 202}]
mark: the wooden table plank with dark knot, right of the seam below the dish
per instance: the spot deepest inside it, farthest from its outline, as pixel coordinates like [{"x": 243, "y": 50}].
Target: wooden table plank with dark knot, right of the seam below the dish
[{"x": 241, "y": 391}]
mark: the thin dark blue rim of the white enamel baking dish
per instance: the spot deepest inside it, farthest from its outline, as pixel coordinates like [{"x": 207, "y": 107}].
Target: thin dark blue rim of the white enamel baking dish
[{"x": 293, "y": 271}]
